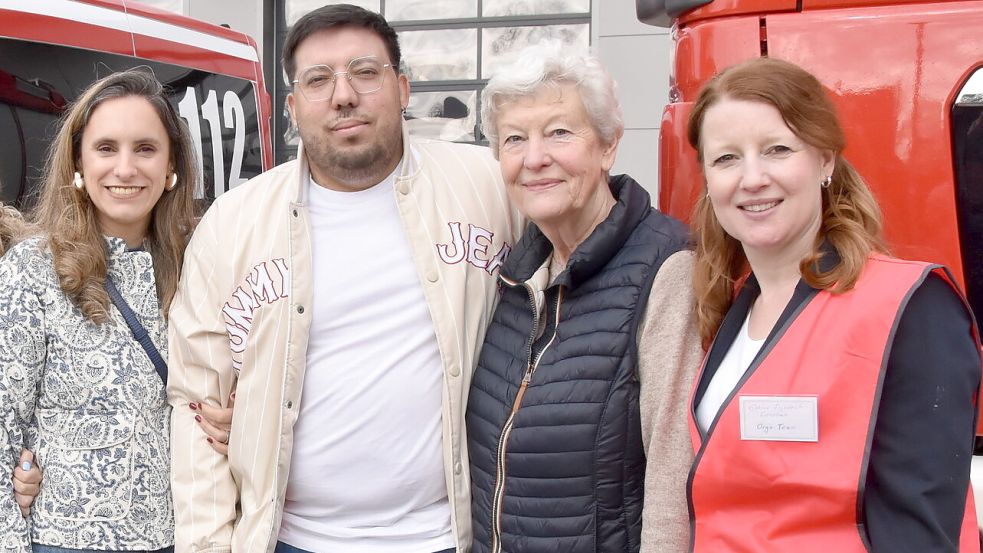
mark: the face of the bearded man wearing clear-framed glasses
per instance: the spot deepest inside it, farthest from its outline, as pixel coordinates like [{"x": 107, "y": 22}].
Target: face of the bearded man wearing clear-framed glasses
[{"x": 352, "y": 141}]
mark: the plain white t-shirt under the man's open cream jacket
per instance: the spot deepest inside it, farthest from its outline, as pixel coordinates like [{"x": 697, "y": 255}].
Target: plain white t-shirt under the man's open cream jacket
[{"x": 367, "y": 473}]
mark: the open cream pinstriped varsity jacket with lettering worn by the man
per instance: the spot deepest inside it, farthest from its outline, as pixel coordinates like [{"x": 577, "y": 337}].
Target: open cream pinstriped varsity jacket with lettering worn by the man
[{"x": 241, "y": 314}]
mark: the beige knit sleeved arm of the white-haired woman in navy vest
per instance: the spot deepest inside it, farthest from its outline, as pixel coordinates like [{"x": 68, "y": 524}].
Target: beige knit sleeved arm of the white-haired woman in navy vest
[{"x": 669, "y": 355}]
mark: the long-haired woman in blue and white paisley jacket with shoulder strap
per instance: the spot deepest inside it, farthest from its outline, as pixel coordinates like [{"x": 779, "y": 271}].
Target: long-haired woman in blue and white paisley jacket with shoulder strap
[{"x": 83, "y": 326}]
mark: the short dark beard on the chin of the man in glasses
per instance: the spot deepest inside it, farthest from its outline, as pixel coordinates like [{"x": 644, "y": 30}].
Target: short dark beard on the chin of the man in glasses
[{"x": 361, "y": 165}]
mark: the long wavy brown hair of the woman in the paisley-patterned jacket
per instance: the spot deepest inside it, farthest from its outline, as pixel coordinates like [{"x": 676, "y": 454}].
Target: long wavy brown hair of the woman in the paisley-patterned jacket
[{"x": 67, "y": 218}]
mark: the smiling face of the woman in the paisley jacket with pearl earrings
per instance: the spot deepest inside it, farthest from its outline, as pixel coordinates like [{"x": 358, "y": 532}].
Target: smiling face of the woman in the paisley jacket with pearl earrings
[{"x": 124, "y": 161}]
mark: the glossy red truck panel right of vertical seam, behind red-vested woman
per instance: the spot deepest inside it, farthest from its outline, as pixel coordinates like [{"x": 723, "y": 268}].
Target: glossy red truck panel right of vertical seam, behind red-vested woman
[{"x": 896, "y": 115}]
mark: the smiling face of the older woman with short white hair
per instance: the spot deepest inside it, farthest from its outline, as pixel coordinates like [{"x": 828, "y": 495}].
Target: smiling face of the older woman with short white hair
[{"x": 552, "y": 160}]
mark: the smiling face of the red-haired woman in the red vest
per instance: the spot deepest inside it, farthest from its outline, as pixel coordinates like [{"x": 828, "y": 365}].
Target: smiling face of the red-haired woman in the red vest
[{"x": 763, "y": 180}]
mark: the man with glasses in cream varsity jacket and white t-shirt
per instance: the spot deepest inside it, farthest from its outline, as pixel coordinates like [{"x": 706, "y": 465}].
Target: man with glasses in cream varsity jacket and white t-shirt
[{"x": 345, "y": 295}]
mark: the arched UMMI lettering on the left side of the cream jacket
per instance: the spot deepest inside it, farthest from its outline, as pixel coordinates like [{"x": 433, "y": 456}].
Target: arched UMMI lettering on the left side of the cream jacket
[{"x": 266, "y": 283}]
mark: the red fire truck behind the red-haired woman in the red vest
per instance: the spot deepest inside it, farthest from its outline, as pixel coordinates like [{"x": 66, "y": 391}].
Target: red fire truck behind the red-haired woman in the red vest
[{"x": 907, "y": 79}]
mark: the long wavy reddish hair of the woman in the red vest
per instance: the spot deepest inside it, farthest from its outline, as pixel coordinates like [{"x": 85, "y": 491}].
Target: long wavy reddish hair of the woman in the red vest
[{"x": 851, "y": 218}]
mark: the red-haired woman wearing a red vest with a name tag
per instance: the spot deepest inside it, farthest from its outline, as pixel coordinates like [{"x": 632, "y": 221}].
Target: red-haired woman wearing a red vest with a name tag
[{"x": 835, "y": 409}]
